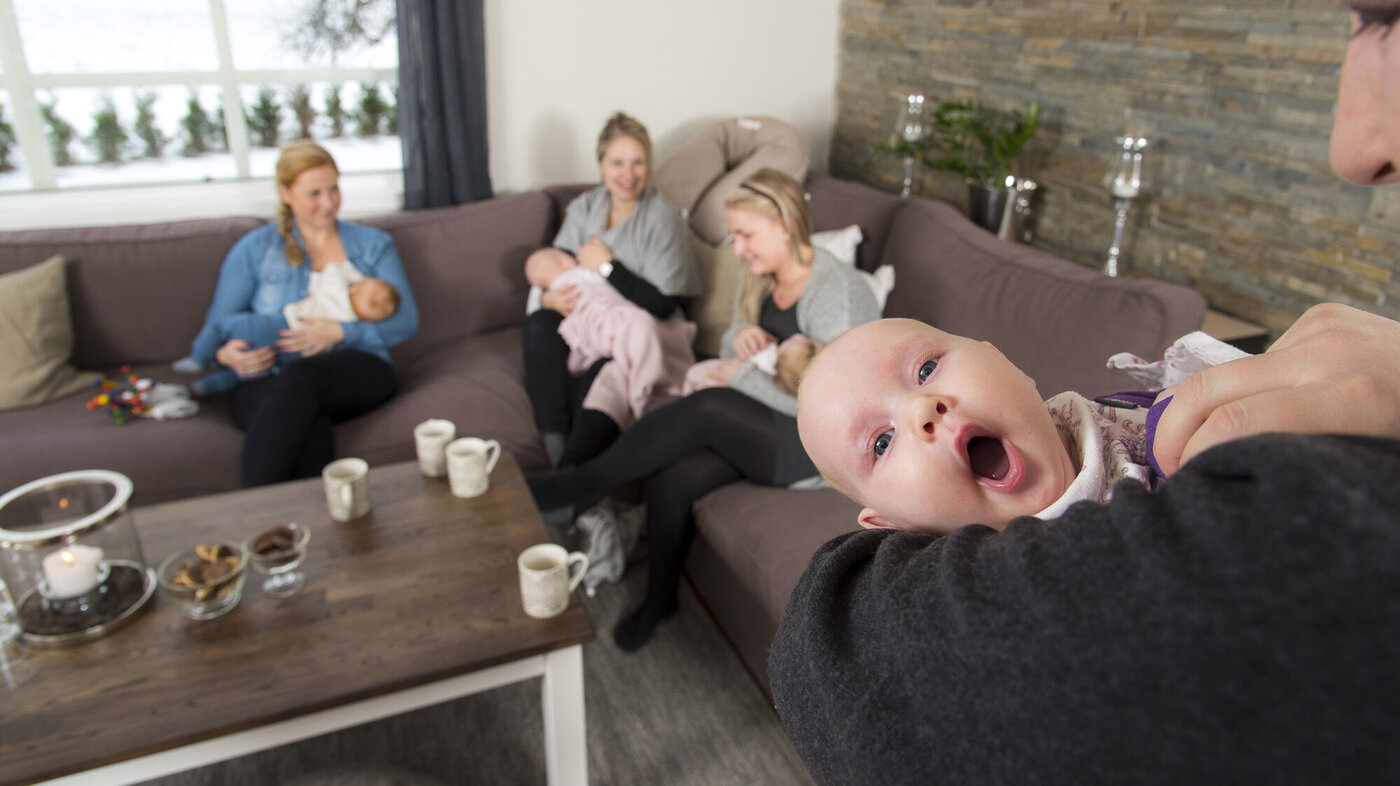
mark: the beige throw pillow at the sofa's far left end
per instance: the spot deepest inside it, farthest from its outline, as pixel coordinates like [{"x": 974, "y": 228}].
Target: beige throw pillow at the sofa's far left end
[{"x": 37, "y": 337}]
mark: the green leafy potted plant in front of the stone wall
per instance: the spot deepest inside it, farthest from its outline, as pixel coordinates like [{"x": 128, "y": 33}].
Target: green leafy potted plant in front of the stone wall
[{"x": 981, "y": 145}]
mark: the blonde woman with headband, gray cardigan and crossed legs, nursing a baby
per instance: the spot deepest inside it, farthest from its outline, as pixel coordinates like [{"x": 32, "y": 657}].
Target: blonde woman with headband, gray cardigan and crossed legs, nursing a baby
[{"x": 745, "y": 431}]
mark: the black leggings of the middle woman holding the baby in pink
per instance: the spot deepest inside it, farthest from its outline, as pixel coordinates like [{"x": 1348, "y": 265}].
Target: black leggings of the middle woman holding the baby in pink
[{"x": 548, "y": 383}]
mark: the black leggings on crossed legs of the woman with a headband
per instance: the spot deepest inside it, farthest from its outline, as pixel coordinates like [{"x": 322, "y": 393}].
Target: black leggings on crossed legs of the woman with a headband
[{"x": 685, "y": 450}]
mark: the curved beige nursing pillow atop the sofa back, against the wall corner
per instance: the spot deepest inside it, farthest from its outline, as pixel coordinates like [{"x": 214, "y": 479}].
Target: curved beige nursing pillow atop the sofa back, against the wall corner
[{"x": 712, "y": 165}]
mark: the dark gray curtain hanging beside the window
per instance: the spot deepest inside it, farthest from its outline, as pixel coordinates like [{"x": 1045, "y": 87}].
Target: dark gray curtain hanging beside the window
[{"x": 443, "y": 103}]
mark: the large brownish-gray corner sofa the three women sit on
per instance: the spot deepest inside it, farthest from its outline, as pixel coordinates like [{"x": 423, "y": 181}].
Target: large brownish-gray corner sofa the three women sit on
[{"x": 138, "y": 296}]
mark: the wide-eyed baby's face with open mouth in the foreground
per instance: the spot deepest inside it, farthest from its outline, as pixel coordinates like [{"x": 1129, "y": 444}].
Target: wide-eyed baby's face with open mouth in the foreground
[{"x": 930, "y": 431}]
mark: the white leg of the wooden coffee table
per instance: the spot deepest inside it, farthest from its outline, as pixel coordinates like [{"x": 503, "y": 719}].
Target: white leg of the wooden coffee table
[{"x": 566, "y": 736}]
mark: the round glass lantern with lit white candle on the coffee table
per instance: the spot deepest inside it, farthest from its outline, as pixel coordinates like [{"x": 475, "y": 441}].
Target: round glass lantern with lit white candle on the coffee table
[{"x": 71, "y": 557}]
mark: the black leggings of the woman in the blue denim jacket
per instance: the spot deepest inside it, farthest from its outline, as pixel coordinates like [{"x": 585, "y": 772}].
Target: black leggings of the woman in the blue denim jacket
[{"x": 288, "y": 417}]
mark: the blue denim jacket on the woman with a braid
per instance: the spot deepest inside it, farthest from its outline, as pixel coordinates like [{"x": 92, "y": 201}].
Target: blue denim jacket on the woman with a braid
[{"x": 258, "y": 278}]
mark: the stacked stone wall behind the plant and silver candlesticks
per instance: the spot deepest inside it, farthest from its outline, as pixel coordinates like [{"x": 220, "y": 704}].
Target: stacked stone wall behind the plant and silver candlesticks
[{"x": 1237, "y": 99}]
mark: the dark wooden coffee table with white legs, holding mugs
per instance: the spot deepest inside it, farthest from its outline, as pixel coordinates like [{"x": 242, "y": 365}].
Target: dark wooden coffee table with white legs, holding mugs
[{"x": 416, "y": 603}]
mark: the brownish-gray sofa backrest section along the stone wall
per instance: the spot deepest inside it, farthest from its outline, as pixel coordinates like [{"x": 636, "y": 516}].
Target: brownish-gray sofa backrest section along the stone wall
[{"x": 1046, "y": 315}]
